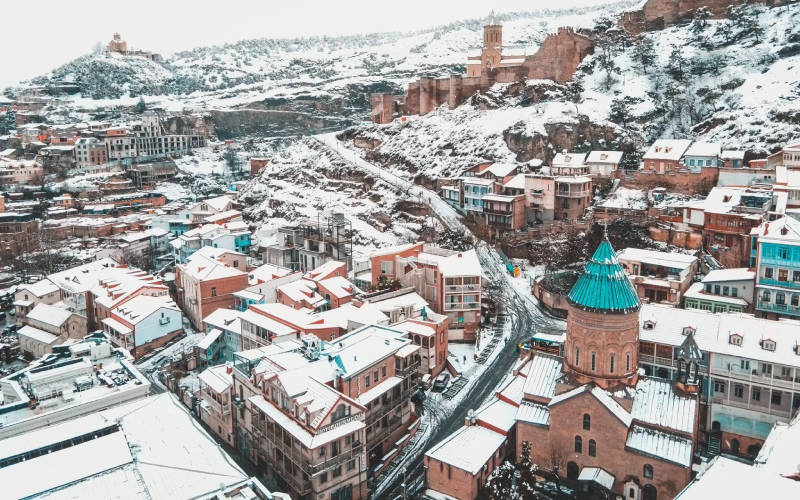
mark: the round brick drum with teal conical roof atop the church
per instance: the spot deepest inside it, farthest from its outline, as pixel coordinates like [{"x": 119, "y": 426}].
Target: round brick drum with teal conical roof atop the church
[{"x": 603, "y": 324}]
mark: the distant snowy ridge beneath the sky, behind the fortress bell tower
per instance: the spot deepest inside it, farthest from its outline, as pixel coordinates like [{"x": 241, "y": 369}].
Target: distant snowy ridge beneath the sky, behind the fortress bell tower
[{"x": 273, "y": 72}]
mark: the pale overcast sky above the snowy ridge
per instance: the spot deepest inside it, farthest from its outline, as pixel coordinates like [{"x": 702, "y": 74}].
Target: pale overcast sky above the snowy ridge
[{"x": 40, "y": 37}]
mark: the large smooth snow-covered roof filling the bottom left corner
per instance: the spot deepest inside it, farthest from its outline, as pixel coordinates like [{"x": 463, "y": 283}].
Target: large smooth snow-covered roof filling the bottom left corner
[{"x": 154, "y": 449}]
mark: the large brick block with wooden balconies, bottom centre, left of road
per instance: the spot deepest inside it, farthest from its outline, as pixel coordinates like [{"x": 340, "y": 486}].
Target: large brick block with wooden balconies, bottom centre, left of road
[{"x": 317, "y": 416}]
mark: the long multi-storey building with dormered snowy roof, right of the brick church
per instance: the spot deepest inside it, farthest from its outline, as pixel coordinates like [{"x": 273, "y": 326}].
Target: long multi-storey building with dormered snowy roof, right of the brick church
[{"x": 749, "y": 370}]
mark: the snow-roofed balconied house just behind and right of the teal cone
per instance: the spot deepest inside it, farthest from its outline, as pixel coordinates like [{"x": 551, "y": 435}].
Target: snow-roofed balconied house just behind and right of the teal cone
[{"x": 659, "y": 277}]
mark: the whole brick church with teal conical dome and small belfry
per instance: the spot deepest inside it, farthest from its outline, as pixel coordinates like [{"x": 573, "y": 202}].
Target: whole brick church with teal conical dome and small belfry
[{"x": 612, "y": 427}]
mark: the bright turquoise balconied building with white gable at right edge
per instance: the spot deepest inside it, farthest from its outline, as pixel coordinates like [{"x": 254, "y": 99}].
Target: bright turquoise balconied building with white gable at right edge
[{"x": 777, "y": 265}]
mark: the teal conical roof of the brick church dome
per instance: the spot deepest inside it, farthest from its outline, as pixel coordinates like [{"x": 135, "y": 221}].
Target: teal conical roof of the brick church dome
[{"x": 604, "y": 286}]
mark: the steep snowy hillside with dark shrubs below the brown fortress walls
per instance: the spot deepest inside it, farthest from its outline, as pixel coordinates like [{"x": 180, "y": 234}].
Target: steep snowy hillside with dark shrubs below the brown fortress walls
[{"x": 732, "y": 81}]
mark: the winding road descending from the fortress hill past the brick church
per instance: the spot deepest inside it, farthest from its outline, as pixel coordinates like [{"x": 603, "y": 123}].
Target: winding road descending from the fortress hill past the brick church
[{"x": 524, "y": 313}]
